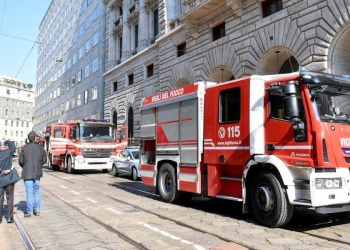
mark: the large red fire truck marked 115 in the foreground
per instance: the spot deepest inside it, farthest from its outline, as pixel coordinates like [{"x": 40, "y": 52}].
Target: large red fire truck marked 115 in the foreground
[{"x": 273, "y": 142}]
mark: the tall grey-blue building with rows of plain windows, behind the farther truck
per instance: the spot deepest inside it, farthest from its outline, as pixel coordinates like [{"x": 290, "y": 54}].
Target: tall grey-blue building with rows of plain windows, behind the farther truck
[{"x": 71, "y": 62}]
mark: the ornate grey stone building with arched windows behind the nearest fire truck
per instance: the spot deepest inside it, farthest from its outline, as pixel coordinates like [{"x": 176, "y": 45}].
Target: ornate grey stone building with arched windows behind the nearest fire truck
[{"x": 152, "y": 46}]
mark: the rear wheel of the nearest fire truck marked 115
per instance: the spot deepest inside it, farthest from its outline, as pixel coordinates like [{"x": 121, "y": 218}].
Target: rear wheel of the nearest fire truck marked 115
[{"x": 167, "y": 184}]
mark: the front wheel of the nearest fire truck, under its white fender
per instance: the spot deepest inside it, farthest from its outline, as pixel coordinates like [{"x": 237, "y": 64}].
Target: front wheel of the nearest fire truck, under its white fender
[{"x": 269, "y": 200}]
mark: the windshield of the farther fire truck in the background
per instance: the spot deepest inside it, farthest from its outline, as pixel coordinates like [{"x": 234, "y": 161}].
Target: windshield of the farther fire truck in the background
[{"x": 96, "y": 133}]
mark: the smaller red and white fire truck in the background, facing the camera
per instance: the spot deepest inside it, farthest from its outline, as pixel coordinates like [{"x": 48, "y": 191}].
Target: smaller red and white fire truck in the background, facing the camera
[{"x": 83, "y": 144}]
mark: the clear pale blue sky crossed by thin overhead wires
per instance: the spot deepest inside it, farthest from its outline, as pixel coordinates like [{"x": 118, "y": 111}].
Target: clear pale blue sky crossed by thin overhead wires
[{"x": 19, "y": 29}]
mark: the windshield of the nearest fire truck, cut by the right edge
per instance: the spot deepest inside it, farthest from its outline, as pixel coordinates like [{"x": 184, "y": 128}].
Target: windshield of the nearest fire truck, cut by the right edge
[{"x": 331, "y": 104}]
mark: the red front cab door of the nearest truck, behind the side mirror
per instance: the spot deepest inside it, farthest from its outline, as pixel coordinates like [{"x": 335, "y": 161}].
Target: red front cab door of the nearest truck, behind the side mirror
[{"x": 293, "y": 146}]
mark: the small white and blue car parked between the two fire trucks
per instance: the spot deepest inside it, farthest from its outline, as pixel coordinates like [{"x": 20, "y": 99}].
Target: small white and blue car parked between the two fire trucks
[{"x": 127, "y": 163}]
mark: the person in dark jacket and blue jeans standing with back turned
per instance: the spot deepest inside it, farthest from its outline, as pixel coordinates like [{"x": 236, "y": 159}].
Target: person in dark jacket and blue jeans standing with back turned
[{"x": 31, "y": 159}]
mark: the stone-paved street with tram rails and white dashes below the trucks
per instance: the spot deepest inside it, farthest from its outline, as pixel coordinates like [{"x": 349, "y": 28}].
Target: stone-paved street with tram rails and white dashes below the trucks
[{"x": 95, "y": 210}]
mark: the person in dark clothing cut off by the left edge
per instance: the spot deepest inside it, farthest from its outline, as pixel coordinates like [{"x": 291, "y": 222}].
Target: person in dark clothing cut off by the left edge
[{"x": 7, "y": 149}]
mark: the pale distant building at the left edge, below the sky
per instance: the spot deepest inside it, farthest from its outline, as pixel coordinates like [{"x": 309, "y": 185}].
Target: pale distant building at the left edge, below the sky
[{"x": 17, "y": 108}]
